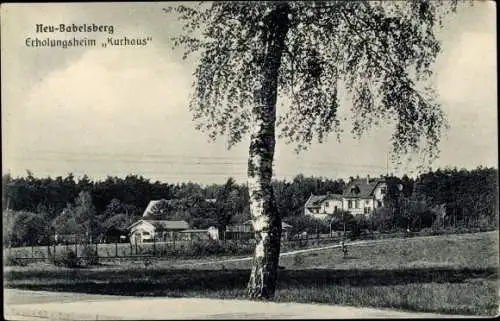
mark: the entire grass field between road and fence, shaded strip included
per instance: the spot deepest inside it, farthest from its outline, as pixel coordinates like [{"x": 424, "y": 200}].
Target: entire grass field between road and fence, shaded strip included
[{"x": 455, "y": 274}]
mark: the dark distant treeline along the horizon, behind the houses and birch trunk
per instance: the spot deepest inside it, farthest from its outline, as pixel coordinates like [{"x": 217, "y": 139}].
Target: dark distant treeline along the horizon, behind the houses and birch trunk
[{"x": 67, "y": 205}]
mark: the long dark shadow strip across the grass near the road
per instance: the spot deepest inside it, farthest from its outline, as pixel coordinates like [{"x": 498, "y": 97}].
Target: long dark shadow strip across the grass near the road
[{"x": 174, "y": 282}]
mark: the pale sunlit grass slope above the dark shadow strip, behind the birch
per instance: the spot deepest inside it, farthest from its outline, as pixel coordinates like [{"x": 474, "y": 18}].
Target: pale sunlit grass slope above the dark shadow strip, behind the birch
[{"x": 478, "y": 250}]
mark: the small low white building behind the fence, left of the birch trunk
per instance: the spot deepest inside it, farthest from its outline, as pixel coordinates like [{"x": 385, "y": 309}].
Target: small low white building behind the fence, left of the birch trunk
[{"x": 155, "y": 230}]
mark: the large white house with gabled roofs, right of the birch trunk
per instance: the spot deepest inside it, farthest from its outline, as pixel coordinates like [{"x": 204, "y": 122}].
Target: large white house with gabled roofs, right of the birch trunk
[{"x": 360, "y": 196}]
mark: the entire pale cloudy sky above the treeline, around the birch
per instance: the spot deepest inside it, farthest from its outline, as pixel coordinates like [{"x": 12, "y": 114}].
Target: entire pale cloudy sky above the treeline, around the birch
[{"x": 119, "y": 111}]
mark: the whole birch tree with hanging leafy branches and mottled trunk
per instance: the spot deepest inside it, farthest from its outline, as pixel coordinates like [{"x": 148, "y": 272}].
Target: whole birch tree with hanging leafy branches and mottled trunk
[{"x": 378, "y": 53}]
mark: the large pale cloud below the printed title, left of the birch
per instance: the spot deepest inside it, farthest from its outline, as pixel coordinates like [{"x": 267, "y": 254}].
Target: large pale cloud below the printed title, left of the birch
[{"x": 108, "y": 96}]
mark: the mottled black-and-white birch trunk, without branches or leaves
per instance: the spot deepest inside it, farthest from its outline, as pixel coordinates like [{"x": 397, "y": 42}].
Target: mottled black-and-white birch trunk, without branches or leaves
[{"x": 265, "y": 218}]
